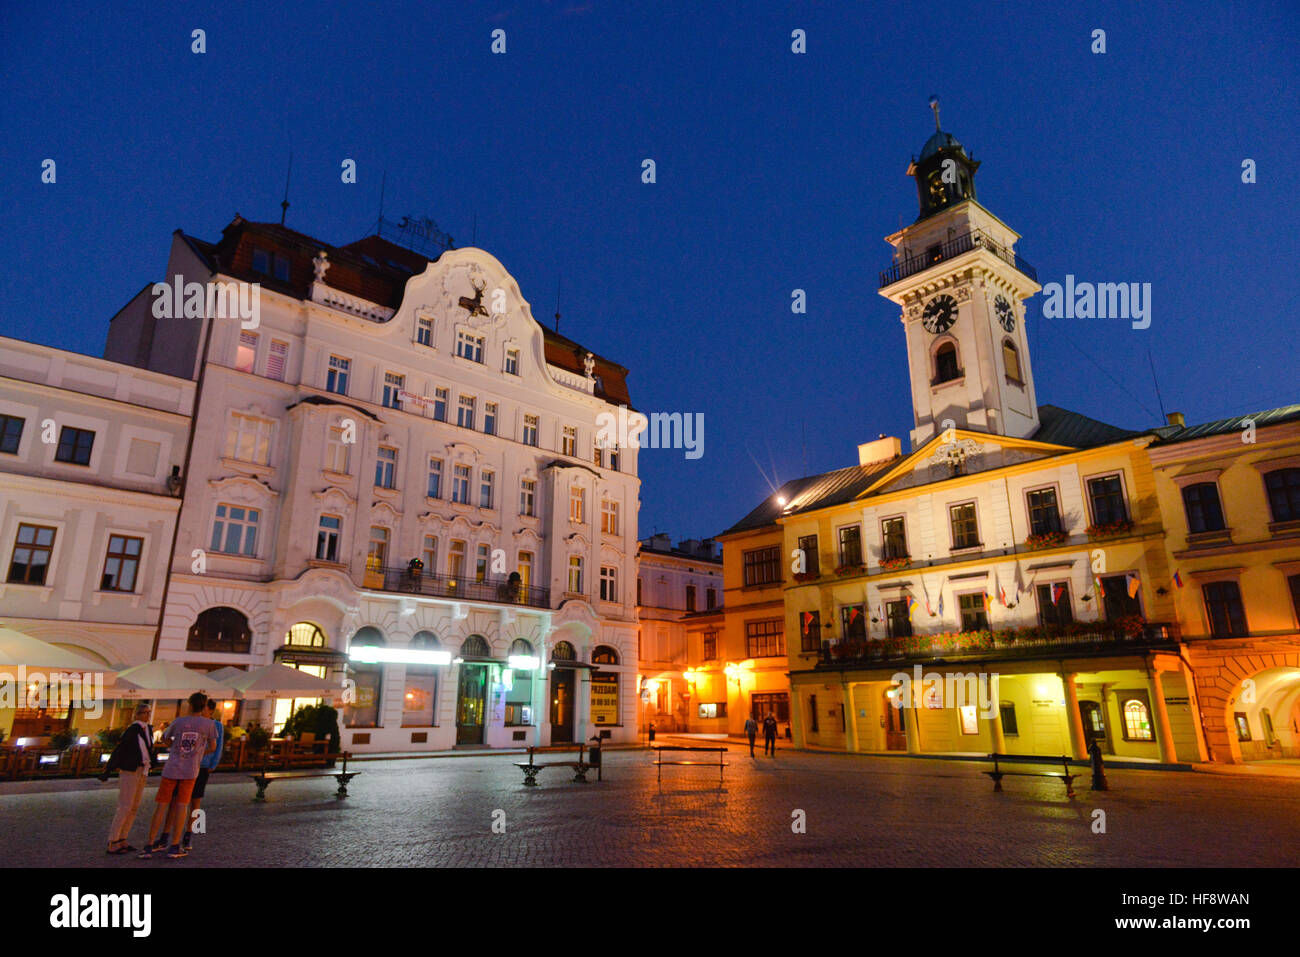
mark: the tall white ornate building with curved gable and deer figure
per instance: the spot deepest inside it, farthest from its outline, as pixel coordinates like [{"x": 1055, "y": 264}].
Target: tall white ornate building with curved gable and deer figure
[{"x": 396, "y": 482}]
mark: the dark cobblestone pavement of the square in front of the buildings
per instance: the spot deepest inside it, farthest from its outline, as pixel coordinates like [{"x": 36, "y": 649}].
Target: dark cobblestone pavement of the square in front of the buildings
[{"x": 860, "y": 812}]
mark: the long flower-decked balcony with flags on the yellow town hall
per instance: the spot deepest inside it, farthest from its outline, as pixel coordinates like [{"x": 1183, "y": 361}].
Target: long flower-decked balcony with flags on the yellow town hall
[{"x": 1080, "y": 638}]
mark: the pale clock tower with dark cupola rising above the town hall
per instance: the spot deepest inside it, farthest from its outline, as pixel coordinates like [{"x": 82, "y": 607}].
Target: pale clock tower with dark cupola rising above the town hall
[{"x": 961, "y": 288}]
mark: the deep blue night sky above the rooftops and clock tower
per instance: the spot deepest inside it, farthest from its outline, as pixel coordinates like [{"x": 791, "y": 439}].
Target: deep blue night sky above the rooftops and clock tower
[{"x": 775, "y": 172}]
